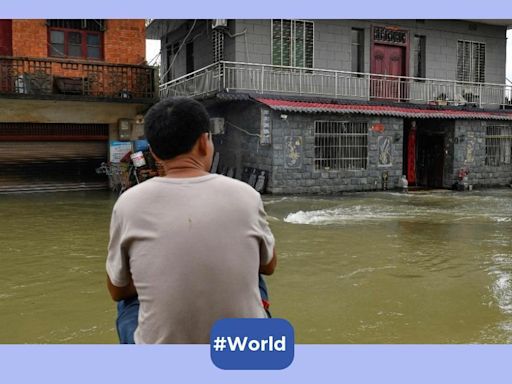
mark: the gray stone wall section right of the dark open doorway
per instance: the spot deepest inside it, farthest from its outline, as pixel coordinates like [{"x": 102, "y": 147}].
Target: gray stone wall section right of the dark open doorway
[{"x": 470, "y": 154}]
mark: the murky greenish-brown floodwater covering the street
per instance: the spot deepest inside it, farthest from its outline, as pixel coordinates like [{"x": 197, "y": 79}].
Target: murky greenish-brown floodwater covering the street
[{"x": 423, "y": 267}]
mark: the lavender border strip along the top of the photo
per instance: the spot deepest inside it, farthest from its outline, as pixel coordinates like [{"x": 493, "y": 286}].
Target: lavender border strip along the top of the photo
[{"x": 453, "y": 9}]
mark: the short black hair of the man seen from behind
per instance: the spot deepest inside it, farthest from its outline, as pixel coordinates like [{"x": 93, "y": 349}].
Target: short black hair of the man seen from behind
[{"x": 173, "y": 125}]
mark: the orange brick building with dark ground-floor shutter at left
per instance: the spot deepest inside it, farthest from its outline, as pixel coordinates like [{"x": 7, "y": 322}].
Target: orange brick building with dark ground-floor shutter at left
[{"x": 68, "y": 89}]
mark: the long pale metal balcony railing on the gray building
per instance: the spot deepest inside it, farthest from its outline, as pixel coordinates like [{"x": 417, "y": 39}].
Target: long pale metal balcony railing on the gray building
[{"x": 271, "y": 79}]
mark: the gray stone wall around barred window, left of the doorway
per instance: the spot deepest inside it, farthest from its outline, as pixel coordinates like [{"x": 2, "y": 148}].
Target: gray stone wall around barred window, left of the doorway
[{"x": 302, "y": 177}]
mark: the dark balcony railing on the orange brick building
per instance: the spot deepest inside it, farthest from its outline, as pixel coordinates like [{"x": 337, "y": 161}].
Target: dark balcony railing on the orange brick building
[{"x": 50, "y": 77}]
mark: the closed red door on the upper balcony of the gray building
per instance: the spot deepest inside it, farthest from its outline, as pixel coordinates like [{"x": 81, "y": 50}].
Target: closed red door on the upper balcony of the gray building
[{"x": 389, "y": 61}]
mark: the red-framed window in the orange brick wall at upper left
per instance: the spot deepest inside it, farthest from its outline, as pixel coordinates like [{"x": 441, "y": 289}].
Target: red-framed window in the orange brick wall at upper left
[{"x": 81, "y": 39}]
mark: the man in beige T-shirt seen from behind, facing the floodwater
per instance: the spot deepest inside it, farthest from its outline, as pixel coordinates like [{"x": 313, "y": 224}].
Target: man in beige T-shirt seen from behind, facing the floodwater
[{"x": 190, "y": 244}]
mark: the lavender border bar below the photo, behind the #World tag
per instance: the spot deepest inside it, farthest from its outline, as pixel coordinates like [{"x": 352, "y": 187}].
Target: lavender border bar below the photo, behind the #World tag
[{"x": 395, "y": 364}]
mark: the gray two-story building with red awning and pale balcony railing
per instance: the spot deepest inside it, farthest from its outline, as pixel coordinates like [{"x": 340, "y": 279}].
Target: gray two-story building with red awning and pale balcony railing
[{"x": 344, "y": 105}]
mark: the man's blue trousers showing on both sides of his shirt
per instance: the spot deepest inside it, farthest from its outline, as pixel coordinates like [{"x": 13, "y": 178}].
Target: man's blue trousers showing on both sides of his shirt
[{"x": 128, "y": 314}]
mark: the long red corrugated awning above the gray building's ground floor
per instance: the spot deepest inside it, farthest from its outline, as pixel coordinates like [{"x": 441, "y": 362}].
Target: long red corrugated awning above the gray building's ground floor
[{"x": 382, "y": 110}]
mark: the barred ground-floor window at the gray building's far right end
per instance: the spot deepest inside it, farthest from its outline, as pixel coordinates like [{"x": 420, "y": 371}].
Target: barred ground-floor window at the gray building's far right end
[{"x": 498, "y": 145}]
